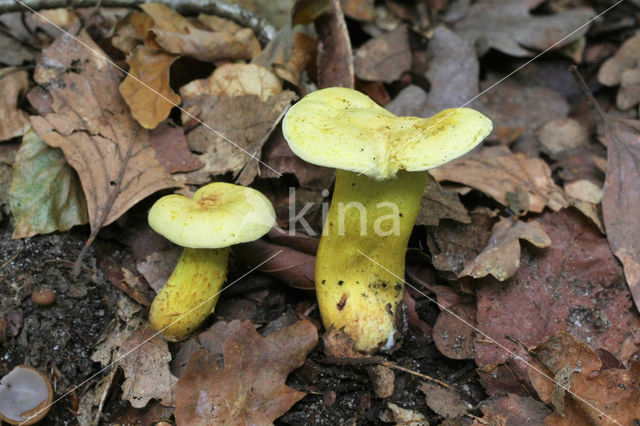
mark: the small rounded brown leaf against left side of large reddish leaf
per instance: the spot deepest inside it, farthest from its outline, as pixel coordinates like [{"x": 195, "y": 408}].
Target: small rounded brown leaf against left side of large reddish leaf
[{"x": 454, "y": 337}]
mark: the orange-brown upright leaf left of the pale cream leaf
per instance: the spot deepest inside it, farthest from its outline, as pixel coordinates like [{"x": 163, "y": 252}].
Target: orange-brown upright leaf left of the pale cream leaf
[{"x": 146, "y": 88}]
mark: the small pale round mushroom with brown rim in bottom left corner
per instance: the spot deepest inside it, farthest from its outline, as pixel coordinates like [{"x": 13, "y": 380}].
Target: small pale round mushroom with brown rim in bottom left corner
[{"x": 25, "y": 396}]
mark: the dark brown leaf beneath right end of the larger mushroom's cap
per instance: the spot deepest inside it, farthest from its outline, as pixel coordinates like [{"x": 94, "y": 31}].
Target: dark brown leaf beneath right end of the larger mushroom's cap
[{"x": 438, "y": 203}]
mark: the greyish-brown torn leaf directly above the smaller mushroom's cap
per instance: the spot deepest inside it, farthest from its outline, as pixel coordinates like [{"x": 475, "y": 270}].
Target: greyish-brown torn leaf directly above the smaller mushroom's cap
[{"x": 244, "y": 120}]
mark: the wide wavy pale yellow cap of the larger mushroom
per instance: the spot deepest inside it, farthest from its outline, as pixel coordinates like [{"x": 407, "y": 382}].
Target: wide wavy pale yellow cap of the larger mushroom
[{"x": 343, "y": 128}]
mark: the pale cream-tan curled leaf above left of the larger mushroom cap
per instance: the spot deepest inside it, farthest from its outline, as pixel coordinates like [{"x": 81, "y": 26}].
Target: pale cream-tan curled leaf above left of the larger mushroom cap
[{"x": 230, "y": 80}]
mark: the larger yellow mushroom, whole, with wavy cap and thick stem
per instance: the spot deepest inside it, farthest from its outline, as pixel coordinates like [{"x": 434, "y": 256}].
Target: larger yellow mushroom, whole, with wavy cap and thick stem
[{"x": 382, "y": 161}]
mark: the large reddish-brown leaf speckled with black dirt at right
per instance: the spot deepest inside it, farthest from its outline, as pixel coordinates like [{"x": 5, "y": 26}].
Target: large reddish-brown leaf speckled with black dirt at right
[{"x": 574, "y": 285}]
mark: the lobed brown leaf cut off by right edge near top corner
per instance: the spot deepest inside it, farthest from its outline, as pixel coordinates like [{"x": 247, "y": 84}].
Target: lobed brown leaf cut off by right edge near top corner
[{"x": 624, "y": 69}]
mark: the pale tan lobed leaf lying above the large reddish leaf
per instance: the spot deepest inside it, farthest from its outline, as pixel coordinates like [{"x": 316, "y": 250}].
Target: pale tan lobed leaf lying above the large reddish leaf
[{"x": 501, "y": 256}]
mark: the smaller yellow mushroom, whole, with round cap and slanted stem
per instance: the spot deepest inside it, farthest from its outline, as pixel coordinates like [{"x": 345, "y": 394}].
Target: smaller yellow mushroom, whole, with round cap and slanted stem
[{"x": 218, "y": 216}]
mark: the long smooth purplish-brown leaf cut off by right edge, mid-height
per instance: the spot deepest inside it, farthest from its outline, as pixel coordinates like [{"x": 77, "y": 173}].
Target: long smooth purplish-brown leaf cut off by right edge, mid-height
[{"x": 621, "y": 196}]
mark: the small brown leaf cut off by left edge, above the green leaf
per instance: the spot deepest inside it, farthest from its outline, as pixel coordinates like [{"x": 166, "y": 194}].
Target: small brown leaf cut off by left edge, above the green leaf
[{"x": 13, "y": 84}]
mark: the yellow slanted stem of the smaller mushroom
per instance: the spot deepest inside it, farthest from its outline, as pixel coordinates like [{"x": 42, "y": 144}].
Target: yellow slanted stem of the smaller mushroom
[{"x": 199, "y": 275}]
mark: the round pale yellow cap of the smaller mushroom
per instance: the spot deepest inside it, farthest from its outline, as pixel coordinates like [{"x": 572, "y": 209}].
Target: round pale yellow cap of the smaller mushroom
[{"x": 219, "y": 215}]
